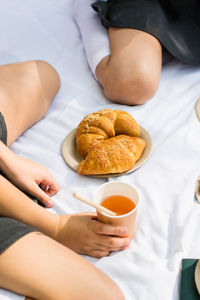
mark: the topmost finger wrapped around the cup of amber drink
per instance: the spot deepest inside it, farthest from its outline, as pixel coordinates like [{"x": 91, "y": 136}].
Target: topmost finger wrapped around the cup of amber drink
[{"x": 108, "y": 229}]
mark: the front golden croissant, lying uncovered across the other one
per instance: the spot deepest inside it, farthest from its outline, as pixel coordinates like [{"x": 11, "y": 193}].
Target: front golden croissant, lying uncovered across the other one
[{"x": 115, "y": 155}]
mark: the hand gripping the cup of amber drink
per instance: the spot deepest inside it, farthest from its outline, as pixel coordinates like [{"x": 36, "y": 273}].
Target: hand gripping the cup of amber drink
[{"x": 85, "y": 235}]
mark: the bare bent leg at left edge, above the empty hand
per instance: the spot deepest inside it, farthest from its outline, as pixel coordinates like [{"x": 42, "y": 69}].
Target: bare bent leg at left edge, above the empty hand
[{"x": 26, "y": 91}]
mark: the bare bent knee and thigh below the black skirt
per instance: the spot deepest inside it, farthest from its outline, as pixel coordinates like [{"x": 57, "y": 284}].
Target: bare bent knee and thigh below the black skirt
[{"x": 131, "y": 74}]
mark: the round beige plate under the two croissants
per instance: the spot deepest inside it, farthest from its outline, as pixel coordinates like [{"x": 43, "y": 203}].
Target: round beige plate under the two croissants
[{"x": 72, "y": 157}]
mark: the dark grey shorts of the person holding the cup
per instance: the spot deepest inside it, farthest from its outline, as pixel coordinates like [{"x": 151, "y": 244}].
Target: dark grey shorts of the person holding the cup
[{"x": 10, "y": 229}]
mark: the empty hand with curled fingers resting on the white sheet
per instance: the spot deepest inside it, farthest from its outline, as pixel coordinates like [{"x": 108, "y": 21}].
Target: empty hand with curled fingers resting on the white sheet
[{"x": 30, "y": 177}]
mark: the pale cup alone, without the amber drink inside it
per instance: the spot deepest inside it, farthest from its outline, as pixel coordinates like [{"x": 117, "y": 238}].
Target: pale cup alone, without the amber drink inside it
[{"x": 123, "y": 189}]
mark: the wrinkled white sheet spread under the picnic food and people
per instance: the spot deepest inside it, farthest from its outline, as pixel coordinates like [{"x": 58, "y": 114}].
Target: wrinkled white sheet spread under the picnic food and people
[{"x": 169, "y": 219}]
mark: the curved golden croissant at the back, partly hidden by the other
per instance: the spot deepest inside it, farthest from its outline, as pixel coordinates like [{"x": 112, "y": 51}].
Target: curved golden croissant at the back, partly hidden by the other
[{"x": 103, "y": 125}]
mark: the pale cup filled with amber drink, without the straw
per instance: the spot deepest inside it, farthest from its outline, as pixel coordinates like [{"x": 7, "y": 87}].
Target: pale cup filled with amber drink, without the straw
[{"x": 122, "y": 199}]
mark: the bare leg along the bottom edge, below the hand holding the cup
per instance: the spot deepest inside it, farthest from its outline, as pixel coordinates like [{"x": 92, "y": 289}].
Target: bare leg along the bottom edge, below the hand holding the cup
[{"x": 43, "y": 269}]
